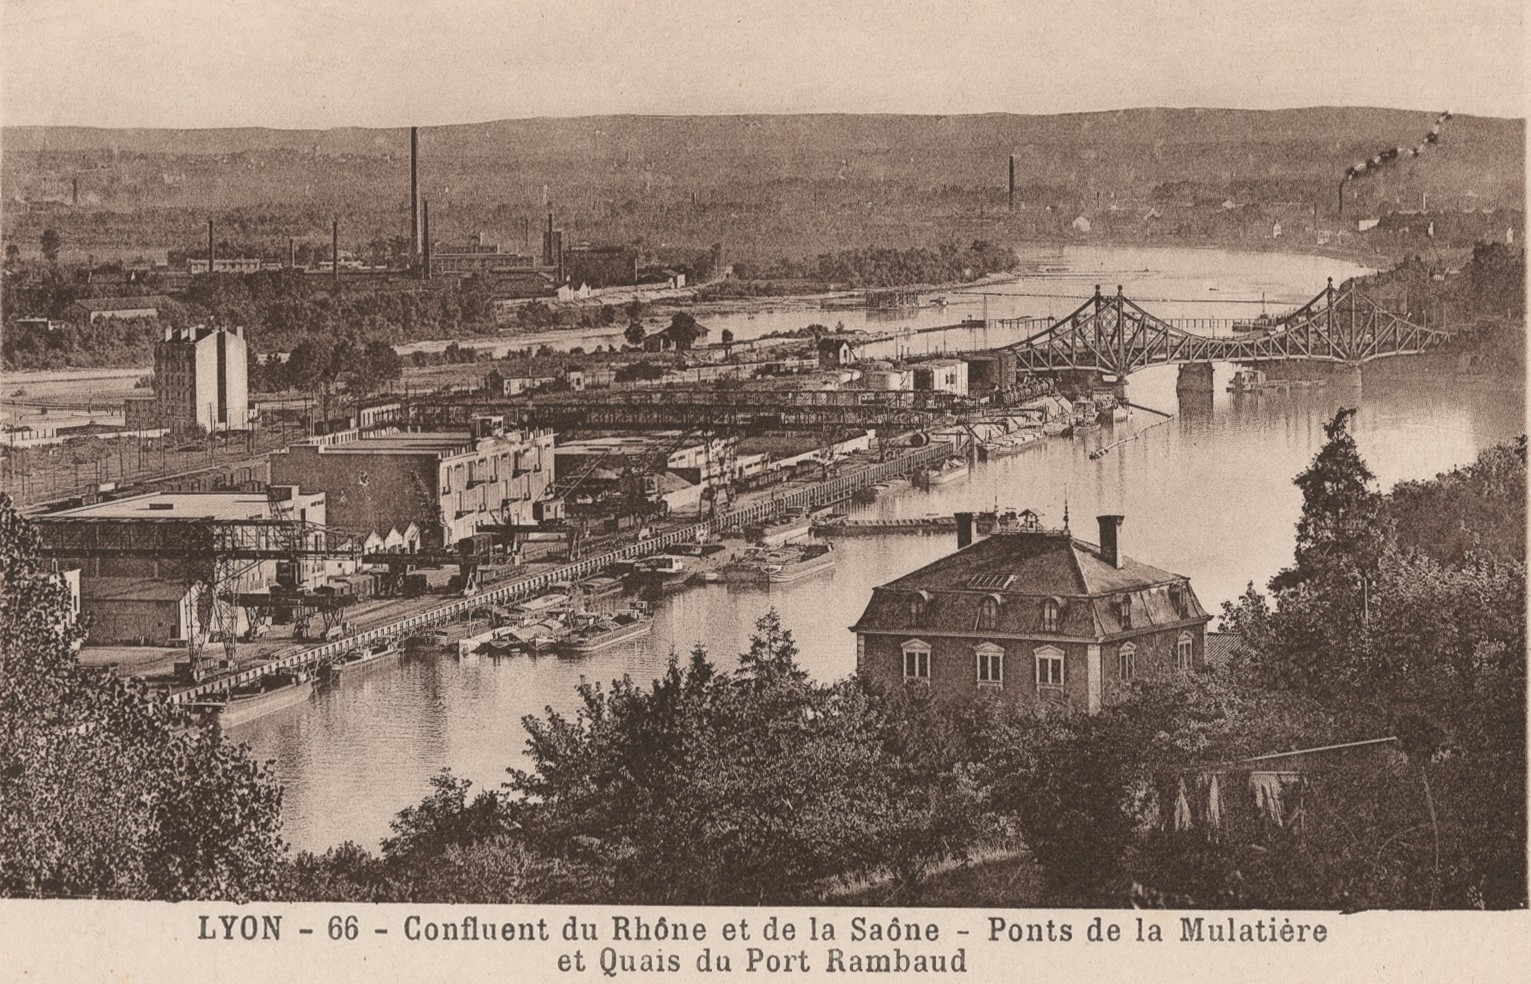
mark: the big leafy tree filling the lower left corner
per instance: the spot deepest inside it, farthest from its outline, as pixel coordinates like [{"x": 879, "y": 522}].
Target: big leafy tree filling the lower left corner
[{"x": 105, "y": 793}]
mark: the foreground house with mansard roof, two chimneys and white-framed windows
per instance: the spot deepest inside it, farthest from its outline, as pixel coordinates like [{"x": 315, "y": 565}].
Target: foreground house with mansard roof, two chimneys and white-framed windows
[{"x": 1033, "y": 616}]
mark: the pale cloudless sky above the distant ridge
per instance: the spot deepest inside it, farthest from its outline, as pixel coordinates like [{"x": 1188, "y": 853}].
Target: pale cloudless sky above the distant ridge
[{"x": 380, "y": 64}]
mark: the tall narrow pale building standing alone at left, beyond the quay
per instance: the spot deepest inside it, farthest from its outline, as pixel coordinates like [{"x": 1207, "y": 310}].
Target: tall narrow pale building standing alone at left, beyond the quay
[{"x": 203, "y": 380}]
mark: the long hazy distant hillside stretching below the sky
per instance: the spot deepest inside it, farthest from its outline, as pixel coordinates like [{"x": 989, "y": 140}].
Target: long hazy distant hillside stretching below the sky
[{"x": 762, "y": 184}]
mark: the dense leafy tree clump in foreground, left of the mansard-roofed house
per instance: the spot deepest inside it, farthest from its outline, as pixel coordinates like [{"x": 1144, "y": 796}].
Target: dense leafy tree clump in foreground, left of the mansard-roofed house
[{"x": 714, "y": 787}]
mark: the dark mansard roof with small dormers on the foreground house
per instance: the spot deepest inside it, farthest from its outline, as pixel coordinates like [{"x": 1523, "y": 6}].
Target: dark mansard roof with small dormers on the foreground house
[{"x": 1022, "y": 573}]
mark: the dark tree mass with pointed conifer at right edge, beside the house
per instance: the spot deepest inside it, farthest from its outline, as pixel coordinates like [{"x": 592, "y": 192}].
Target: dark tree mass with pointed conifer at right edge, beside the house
[{"x": 1422, "y": 637}]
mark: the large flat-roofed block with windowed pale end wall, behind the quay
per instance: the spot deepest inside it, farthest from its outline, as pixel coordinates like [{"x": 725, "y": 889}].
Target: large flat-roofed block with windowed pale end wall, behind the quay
[{"x": 445, "y": 483}]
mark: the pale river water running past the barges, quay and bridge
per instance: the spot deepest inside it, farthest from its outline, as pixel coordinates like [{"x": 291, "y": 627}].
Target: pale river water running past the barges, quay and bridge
[{"x": 1209, "y": 495}]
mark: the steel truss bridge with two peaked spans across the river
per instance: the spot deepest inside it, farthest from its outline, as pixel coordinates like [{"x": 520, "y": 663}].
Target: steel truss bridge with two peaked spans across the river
[{"x": 1115, "y": 336}]
